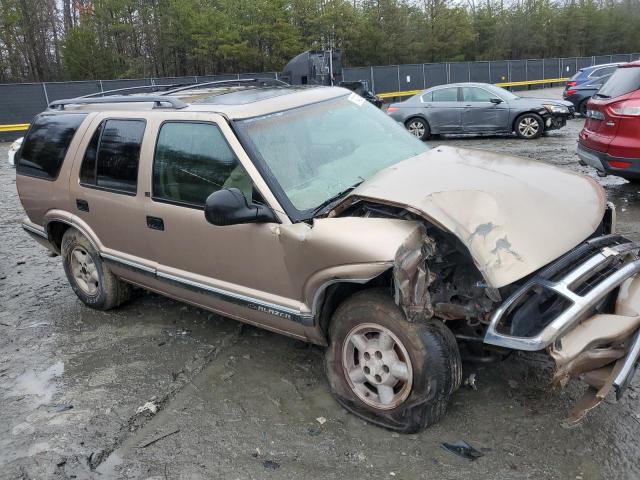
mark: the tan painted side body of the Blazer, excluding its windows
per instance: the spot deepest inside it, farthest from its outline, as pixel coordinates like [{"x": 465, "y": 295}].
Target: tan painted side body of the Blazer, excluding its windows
[{"x": 287, "y": 266}]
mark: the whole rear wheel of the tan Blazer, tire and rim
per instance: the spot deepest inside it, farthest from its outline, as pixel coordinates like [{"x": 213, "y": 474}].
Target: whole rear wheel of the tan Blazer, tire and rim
[{"x": 89, "y": 277}]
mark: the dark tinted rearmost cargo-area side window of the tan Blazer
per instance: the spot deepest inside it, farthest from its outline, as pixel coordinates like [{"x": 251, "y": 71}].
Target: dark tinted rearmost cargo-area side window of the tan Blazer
[{"x": 46, "y": 144}]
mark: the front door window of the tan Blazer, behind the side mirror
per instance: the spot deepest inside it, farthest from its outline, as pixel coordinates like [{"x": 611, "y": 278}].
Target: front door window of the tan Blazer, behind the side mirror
[{"x": 192, "y": 161}]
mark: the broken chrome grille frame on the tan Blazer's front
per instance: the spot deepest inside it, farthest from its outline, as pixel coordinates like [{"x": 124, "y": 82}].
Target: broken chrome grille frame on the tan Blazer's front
[{"x": 580, "y": 304}]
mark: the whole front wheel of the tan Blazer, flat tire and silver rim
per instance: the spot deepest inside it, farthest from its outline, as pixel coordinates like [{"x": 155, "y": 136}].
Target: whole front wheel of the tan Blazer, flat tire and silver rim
[{"x": 387, "y": 370}]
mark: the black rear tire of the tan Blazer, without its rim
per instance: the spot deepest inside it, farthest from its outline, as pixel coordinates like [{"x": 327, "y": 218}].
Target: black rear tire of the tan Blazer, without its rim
[{"x": 110, "y": 291}]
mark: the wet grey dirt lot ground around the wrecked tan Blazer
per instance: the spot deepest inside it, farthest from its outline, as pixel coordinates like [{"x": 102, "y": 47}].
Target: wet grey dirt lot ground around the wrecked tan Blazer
[{"x": 237, "y": 402}]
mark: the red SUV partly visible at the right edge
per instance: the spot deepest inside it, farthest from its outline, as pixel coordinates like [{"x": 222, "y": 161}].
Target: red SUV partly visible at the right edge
[{"x": 610, "y": 139}]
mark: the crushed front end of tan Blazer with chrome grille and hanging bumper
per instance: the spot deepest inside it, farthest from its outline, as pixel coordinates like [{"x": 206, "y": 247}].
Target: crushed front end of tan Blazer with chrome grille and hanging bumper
[{"x": 584, "y": 309}]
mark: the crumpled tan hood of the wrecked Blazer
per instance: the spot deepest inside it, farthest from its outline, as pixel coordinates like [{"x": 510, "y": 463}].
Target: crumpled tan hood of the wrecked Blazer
[{"x": 514, "y": 215}]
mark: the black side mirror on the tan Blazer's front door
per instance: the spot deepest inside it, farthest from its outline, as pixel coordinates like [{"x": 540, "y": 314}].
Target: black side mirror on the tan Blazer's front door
[{"x": 230, "y": 207}]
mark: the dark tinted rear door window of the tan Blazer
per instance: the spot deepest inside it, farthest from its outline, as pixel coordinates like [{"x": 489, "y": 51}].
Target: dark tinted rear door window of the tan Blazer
[{"x": 112, "y": 156}]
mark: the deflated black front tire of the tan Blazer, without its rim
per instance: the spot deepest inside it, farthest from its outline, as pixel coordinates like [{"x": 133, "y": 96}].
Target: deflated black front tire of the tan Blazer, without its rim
[{"x": 432, "y": 350}]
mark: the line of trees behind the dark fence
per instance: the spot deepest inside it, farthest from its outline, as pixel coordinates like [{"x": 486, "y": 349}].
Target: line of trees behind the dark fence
[{"x": 45, "y": 40}]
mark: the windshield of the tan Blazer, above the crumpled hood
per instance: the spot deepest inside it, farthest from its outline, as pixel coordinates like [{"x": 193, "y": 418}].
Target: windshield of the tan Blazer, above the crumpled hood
[{"x": 319, "y": 151}]
